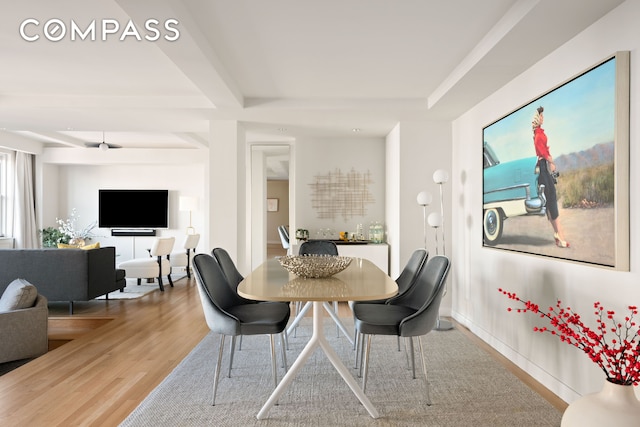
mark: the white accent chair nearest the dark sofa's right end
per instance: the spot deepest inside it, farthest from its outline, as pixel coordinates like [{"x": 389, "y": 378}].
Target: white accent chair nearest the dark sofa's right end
[{"x": 155, "y": 266}]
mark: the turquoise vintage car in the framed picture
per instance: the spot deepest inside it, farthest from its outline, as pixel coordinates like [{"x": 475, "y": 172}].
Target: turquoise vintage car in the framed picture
[{"x": 509, "y": 189}]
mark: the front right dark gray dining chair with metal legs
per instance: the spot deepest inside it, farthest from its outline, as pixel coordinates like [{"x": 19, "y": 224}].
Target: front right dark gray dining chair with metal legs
[{"x": 413, "y": 314}]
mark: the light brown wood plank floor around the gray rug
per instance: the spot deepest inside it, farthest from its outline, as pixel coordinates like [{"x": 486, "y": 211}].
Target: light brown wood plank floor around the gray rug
[{"x": 110, "y": 355}]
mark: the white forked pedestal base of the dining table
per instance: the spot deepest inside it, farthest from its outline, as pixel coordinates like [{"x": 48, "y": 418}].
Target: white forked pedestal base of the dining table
[{"x": 318, "y": 339}]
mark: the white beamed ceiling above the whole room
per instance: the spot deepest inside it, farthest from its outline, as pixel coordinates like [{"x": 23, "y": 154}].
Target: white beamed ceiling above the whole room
[{"x": 285, "y": 68}]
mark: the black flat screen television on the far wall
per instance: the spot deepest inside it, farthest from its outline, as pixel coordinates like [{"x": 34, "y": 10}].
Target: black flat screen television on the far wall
[{"x": 133, "y": 208}]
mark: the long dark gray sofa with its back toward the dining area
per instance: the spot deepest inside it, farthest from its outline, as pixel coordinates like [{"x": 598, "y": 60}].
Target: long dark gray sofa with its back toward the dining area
[{"x": 63, "y": 274}]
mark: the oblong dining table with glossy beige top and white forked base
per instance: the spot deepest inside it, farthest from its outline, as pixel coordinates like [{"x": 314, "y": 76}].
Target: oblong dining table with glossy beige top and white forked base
[{"x": 362, "y": 280}]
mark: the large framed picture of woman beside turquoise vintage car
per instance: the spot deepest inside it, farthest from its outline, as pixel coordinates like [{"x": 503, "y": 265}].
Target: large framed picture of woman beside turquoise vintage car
[{"x": 556, "y": 171}]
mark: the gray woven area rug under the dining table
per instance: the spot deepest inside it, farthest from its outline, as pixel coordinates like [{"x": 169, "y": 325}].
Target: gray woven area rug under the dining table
[{"x": 468, "y": 388}]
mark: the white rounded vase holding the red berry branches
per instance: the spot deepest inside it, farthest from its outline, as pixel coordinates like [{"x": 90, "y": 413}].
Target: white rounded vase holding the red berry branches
[{"x": 614, "y": 405}]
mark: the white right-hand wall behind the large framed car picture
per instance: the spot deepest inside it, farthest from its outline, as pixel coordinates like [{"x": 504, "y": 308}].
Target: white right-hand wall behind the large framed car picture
[{"x": 478, "y": 271}]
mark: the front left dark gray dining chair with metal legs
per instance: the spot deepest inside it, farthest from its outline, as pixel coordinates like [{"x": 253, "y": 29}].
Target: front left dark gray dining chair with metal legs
[{"x": 228, "y": 314}]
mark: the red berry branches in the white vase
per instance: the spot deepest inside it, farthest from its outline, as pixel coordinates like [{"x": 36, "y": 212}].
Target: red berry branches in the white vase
[{"x": 618, "y": 357}]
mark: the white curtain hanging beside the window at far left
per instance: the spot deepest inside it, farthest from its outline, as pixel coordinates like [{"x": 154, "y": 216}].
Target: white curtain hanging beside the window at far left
[{"x": 25, "y": 231}]
